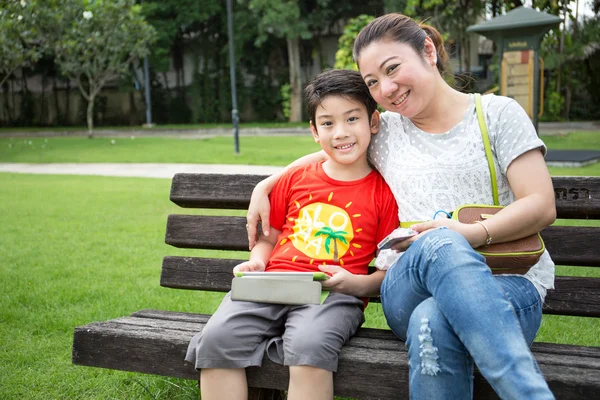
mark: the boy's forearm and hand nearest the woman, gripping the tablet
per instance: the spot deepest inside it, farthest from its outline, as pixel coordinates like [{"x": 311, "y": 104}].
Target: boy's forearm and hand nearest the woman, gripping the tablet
[{"x": 346, "y": 282}]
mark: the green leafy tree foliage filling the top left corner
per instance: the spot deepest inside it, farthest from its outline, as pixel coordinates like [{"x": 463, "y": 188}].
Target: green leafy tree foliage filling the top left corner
[{"x": 21, "y": 40}]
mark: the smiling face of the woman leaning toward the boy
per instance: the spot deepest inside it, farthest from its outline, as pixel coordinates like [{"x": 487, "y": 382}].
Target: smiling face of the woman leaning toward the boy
[{"x": 399, "y": 79}]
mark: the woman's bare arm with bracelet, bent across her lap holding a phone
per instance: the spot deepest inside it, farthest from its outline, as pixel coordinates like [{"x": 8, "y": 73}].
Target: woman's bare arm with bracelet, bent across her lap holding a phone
[{"x": 532, "y": 211}]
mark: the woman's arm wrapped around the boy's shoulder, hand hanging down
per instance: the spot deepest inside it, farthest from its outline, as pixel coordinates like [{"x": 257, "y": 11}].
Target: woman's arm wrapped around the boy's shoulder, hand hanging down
[{"x": 260, "y": 208}]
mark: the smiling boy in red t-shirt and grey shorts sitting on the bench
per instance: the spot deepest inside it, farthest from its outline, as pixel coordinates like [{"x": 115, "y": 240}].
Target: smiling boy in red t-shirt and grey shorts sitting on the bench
[{"x": 327, "y": 216}]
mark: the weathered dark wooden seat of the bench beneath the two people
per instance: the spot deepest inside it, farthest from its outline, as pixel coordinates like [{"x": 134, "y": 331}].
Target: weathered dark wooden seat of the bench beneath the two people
[{"x": 156, "y": 346}]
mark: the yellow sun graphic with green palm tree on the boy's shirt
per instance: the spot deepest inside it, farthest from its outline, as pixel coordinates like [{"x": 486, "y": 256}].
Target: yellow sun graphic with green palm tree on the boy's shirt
[{"x": 324, "y": 231}]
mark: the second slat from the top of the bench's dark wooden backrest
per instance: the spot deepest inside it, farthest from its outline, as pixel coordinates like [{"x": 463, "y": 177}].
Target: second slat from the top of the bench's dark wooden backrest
[{"x": 568, "y": 245}]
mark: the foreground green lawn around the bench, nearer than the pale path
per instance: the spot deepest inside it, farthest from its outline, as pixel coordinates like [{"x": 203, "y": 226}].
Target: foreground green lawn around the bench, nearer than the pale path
[{"x": 79, "y": 249}]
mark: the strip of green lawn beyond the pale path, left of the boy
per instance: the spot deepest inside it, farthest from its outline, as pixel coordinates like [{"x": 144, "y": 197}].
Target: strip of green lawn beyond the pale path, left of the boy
[{"x": 254, "y": 150}]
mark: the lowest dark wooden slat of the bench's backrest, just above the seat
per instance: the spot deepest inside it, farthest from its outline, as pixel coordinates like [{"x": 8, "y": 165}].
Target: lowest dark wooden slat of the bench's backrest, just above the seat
[{"x": 574, "y": 296}]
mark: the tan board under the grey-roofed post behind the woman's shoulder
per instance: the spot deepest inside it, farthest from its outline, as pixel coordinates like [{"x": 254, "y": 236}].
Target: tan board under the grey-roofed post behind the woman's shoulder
[{"x": 517, "y": 79}]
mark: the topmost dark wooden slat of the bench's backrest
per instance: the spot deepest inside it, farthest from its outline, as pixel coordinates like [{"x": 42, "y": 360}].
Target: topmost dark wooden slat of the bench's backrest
[{"x": 576, "y": 197}]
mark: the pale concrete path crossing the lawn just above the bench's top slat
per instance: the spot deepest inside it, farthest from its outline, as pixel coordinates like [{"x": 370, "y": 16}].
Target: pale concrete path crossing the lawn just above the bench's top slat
[{"x": 135, "y": 170}]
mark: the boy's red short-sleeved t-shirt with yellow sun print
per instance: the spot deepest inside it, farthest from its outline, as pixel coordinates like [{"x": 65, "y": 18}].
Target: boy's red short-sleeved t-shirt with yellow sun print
[{"x": 325, "y": 221}]
